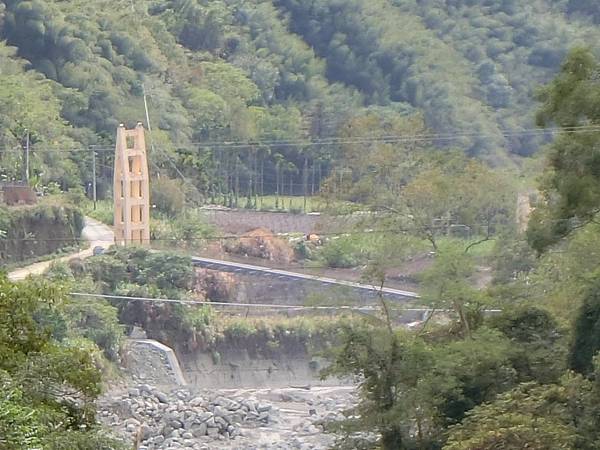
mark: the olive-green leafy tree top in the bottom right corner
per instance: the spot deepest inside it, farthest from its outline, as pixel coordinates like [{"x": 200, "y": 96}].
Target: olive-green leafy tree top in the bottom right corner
[{"x": 559, "y": 415}]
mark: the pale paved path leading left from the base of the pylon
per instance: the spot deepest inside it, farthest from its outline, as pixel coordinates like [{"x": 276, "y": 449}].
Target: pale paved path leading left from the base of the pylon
[{"x": 98, "y": 234}]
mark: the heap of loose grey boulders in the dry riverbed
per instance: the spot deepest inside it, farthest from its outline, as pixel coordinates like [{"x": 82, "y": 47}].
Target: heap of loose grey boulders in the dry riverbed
[{"x": 157, "y": 420}]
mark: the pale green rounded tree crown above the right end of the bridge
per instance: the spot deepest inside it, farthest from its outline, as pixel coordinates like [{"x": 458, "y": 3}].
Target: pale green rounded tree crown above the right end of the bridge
[{"x": 457, "y": 196}]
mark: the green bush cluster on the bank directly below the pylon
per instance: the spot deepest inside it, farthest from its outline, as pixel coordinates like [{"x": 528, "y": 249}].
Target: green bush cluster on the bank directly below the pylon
[{"x": 136, "y": 272}]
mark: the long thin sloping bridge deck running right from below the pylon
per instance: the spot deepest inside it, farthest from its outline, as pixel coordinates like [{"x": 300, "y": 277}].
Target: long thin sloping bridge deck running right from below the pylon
[{"x": 228, "y": 266}]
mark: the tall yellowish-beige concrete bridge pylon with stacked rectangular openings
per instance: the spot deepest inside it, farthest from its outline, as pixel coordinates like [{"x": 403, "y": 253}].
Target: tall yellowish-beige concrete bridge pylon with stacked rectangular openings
[{"x": 131, "y": 188}]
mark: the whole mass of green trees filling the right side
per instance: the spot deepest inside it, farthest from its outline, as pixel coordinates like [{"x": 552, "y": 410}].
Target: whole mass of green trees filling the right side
[{"x": 526, "y": 377}]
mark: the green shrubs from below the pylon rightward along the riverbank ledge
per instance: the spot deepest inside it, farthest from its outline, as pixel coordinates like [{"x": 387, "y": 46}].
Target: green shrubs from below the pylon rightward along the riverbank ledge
[{"x": 137, "y": 272}]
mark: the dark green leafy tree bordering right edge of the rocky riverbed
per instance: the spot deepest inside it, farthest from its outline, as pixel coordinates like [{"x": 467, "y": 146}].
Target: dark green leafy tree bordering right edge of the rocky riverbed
[{"x": 388, "y": 367}]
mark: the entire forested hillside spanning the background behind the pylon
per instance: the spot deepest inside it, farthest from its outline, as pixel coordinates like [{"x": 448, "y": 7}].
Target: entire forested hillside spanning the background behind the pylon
[{"x": 273, "y": 75}]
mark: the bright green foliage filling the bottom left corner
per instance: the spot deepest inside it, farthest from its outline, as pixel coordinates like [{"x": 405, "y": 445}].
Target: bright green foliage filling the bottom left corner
[{"x": 48, "y": 374}]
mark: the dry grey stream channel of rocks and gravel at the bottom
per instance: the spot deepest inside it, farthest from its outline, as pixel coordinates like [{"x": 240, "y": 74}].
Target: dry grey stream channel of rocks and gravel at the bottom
[{"x": 149, "y": 409}]
